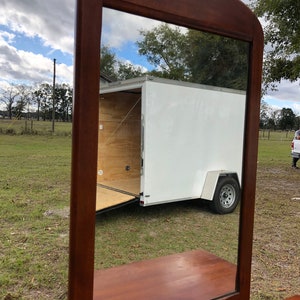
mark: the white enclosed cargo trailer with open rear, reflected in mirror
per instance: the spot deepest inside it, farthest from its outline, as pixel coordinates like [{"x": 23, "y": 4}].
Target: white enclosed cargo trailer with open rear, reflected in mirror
[{"x": 162, "y": 141}]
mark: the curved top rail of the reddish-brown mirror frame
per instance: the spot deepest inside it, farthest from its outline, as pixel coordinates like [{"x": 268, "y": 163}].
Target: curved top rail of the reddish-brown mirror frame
[{"x": 233, "y": 18}]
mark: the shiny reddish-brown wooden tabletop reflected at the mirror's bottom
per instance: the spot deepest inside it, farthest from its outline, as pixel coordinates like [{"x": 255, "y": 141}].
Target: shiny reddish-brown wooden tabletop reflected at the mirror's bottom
[{"x": 191, "y": 275}]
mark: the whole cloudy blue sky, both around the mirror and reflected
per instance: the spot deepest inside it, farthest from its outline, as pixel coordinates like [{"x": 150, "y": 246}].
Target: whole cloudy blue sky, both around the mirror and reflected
[{"x": 34, "y": 32}]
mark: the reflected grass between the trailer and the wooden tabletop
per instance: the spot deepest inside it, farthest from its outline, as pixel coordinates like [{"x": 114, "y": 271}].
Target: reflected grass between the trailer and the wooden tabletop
[{"x": 135, "y": 233}]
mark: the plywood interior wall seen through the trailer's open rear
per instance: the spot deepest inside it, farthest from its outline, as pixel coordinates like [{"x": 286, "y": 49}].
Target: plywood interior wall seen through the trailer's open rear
[{"x": 119, "y": 148}]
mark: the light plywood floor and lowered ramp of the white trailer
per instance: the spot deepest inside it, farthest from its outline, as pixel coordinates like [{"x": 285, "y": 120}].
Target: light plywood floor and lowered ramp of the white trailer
[{"x": 108, "y": 197}]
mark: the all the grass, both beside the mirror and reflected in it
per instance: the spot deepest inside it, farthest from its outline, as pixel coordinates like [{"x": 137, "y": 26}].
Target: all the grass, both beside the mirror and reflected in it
[{"x": 34, "y": 206}]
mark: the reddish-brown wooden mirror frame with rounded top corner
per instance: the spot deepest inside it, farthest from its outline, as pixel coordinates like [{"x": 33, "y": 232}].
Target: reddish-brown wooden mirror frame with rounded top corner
[{"x": 230, "y": 18}]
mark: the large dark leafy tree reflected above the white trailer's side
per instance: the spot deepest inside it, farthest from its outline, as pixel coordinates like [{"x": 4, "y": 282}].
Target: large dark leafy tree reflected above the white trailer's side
[{"x": 195, "y": 56}]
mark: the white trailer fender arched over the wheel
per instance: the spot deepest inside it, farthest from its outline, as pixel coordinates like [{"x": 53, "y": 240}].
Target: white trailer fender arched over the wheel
[{"x": 211, "y": 181}]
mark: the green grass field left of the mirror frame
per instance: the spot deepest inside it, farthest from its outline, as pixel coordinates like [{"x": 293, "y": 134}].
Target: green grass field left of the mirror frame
[{"x": 34, "y": 184}]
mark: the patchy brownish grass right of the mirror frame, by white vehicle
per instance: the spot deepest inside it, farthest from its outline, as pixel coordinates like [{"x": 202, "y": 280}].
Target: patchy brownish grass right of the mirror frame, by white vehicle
[{"x": 276, "y": 248}]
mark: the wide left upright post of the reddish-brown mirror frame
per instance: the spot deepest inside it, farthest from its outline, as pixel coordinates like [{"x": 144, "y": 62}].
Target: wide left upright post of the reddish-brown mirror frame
[{"x": 84, "y": 150}]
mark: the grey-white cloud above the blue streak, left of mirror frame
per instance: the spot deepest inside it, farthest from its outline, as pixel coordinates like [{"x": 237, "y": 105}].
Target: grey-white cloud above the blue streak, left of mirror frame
[{"x": 52, "y": 21}]
